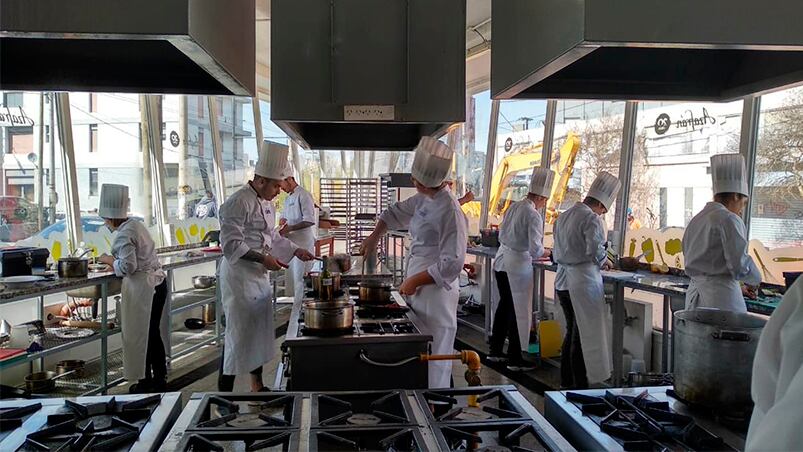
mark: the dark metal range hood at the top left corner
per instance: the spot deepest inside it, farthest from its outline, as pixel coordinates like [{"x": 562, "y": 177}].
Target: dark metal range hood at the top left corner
[{"x": 144, "y": 46}]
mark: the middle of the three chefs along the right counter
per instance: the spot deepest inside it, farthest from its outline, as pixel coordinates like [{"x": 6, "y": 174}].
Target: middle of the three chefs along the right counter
[{"x": 579, "y": 251}]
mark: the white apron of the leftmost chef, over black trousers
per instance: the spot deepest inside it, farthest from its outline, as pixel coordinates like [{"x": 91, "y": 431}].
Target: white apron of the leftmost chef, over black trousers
[{"x": 137, "y": 299}]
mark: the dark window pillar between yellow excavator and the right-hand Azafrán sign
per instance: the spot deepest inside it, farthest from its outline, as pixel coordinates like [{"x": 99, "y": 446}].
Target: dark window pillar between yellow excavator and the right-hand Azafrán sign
[{"x": 625, "y": 172}]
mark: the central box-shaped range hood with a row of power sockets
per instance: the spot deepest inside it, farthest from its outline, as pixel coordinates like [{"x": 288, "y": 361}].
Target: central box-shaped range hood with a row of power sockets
[{"x": 367, "y": 74}]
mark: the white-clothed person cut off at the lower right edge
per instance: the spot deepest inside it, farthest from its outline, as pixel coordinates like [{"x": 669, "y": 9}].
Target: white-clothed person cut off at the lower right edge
[{"x": 778, "y": 379}]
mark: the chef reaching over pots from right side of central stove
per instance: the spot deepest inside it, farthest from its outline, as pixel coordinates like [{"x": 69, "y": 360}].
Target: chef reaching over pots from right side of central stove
[{"x": 437, "y": 252}]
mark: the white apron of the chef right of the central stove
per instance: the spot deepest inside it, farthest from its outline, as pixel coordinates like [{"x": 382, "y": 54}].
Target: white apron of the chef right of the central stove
[{"x": 437, "y": 309}]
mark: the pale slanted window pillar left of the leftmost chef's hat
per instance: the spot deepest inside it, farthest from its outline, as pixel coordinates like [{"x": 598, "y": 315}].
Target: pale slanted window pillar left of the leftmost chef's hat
[{"x": 64, "y": 118}]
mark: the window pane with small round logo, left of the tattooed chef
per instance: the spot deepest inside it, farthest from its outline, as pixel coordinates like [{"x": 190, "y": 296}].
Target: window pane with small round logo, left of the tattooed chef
[{"x": 190, "y": 184}]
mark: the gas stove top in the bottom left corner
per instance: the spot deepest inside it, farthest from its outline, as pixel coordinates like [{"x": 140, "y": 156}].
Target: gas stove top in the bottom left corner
[{"x": 135, "y": 422}]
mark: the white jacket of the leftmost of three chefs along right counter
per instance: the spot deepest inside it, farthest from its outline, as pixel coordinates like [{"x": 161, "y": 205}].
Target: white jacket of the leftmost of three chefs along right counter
[{"x": 522, "y": 229}]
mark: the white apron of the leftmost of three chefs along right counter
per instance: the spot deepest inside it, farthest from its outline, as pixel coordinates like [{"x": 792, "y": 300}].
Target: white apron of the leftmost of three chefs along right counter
[{"x": 519, "y": 269}]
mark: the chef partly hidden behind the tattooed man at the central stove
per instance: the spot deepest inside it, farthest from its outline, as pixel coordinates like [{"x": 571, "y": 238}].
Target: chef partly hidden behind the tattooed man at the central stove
[{"x": 298, "y": 224}]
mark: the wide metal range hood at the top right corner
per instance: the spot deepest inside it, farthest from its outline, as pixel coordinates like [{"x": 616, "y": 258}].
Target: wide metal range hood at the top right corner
[{"x": 714, "y": 50}]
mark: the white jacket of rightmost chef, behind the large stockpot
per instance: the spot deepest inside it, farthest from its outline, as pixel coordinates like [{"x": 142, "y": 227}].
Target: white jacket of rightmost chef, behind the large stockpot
[{"x": 715, "y": 244}]
